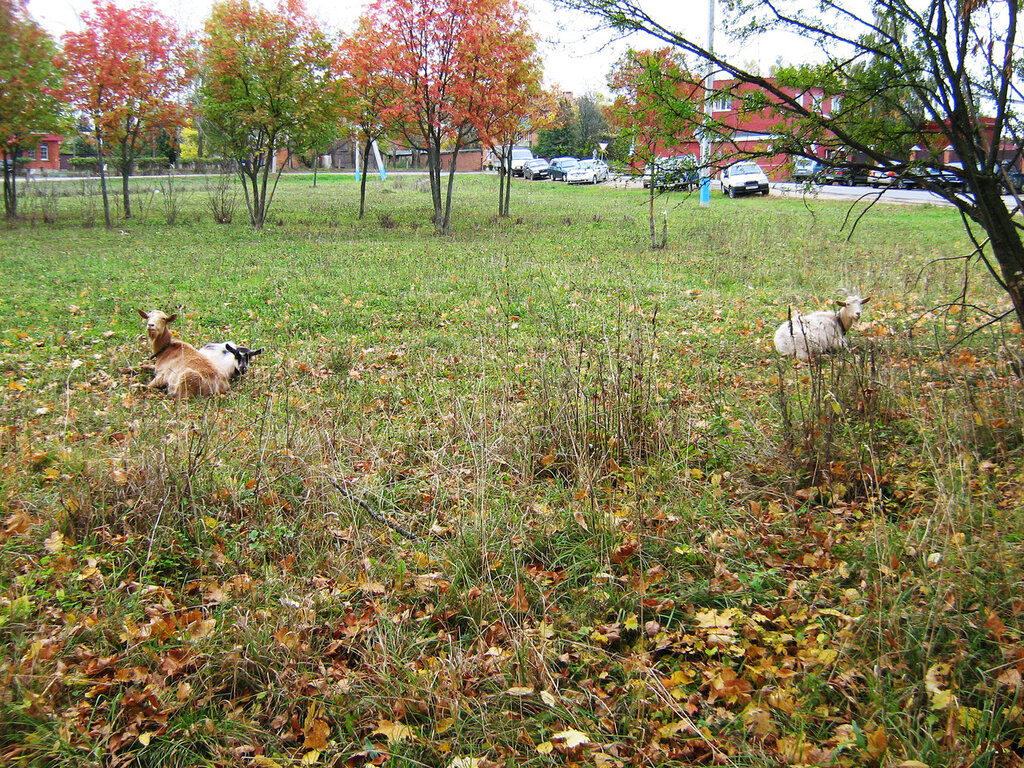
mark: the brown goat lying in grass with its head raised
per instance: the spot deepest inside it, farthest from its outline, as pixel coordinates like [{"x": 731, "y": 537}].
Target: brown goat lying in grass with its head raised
[{"x": 180, "y": 367}]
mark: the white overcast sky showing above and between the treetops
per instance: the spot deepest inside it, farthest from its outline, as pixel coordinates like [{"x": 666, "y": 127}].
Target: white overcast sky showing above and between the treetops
[{"x": 576, "y": 59}]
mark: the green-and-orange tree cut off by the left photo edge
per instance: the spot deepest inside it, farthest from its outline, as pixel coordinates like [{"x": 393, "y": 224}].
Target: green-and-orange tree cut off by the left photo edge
[{"x": 28, "y": 84}]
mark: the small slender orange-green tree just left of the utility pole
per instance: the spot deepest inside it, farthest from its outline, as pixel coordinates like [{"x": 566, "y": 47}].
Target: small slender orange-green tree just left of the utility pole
[{"x": 654, "y": 108}]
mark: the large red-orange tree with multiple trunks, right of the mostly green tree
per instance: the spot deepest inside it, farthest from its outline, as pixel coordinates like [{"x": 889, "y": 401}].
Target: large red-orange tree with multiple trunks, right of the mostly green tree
[{"x": 449, "y": 64}]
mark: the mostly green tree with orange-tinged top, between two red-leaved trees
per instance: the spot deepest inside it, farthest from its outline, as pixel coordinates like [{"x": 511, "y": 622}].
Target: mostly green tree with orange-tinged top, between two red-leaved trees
[{"x": 268, "y": 86}]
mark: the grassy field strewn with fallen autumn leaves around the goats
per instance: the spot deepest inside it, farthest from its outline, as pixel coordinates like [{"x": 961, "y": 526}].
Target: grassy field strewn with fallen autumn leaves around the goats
[{"x": 620, "y": 531}]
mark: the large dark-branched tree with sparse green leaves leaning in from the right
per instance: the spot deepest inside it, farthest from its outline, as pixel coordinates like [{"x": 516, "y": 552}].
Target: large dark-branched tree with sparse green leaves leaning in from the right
[{"x": 954, "y": 67}]
